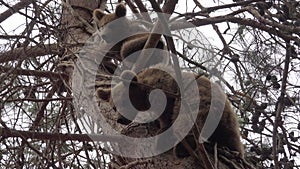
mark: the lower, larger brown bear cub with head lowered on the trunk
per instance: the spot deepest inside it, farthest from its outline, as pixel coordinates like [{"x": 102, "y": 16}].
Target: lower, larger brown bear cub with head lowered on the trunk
[{"x": 227, "y": 132}]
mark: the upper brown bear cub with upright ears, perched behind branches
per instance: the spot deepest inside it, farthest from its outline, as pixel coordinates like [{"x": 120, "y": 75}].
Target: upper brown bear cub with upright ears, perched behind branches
[{"x": 127, "y": 37}]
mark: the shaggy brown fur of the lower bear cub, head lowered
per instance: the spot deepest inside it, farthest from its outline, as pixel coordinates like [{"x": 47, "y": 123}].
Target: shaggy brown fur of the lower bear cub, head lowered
[{"x": 227, "y": 133}]
